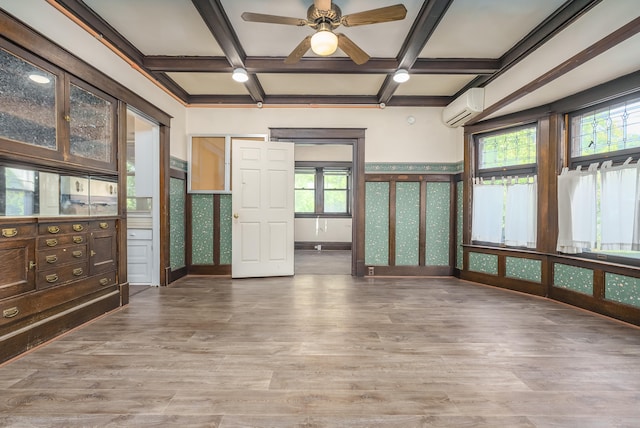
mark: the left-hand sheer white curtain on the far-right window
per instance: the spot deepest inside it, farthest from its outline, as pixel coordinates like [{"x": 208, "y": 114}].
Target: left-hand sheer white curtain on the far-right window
[{"x": 577, "y": 210}]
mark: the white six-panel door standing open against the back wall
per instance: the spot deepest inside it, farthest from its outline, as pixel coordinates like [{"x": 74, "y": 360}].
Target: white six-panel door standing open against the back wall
[{"x": 263, "y": 206}]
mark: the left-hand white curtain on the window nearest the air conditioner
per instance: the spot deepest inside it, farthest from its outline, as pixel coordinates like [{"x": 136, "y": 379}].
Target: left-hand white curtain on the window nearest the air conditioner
[{"x": 488, "y": 200}]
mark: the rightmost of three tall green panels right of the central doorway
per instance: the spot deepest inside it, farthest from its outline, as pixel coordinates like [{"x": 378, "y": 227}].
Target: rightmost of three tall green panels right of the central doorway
[{"x": 438, "y": 224}]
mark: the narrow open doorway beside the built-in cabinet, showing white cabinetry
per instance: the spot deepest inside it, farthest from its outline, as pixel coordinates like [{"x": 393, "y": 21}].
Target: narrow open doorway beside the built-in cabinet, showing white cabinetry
[{"x": 143, "y": 189}]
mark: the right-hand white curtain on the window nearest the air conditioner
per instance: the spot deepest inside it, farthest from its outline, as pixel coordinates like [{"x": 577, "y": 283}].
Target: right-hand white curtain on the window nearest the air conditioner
[{"x": 521, "y": 214}]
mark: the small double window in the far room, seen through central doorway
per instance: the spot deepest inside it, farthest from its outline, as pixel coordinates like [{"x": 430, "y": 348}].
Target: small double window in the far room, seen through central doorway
[{"x": 323, "y": 190}]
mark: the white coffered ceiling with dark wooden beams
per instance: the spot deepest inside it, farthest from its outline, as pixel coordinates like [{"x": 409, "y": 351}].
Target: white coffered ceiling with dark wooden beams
[{"x": 191, "y": 48}]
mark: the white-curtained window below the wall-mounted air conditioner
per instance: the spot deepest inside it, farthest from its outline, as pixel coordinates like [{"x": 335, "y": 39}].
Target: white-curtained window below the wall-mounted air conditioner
[{"x": 505, "y": 190}]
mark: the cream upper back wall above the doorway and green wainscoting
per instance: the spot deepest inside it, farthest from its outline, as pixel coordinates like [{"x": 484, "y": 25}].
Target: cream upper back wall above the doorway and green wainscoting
[{"x": 389, "y": 136}]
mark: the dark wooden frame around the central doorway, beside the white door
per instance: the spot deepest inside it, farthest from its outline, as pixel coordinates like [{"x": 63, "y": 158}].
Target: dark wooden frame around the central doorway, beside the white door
[{"x": 356, "y": 138}]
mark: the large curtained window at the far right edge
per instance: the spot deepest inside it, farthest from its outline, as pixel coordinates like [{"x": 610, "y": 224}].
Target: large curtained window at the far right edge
[{"x": 599, "y": 193}]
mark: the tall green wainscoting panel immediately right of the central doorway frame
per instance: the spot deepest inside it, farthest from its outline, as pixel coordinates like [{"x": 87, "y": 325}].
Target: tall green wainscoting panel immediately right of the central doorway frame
[{"x": 376, "y": 232}]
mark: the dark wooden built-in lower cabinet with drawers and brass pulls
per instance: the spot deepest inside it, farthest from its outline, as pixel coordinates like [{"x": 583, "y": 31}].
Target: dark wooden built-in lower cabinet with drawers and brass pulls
[{"x": 52, "y": 267}]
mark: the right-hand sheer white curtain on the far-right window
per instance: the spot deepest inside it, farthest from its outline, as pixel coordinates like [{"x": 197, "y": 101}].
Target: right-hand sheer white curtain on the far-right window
[{"x": 620, "y": 197}]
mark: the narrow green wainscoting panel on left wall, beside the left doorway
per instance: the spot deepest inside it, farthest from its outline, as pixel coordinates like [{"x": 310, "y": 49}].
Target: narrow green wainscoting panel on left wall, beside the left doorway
[{"x": 177, "y": 197}]
